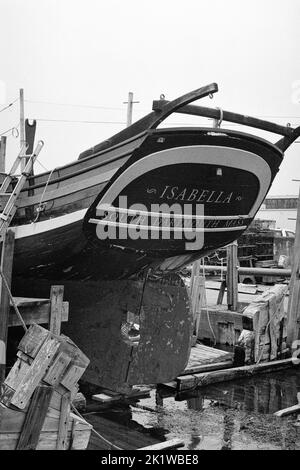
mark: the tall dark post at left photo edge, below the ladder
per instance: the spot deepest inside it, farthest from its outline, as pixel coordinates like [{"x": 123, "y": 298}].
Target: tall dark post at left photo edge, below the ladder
[{"x": 6, "y": 267}]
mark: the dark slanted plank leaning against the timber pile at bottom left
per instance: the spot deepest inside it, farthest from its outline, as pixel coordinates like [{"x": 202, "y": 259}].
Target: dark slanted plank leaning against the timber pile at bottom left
[{"x": 35, "y": 418}]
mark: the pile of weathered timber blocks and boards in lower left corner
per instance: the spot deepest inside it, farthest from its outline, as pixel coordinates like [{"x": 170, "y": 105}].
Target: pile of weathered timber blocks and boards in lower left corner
[{"x": 36, "y": 396}]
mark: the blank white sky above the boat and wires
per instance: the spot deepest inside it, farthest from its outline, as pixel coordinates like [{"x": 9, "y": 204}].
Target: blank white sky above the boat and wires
[{"x": 94, "y": 52}]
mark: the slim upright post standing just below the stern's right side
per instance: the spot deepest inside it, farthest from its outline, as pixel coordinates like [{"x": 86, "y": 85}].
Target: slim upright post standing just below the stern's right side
[{"x": 232, "y": 276}]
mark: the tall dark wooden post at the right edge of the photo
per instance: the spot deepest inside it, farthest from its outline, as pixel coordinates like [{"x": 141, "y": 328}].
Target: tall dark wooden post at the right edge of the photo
[{"x": 293, "y": 314}]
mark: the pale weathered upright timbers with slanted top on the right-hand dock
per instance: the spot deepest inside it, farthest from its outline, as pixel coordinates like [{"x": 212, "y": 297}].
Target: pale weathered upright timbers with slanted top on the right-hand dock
[{"x": 269, "y": 323}]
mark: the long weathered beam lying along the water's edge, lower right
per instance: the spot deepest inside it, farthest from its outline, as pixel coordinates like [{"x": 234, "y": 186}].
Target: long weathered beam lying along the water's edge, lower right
[{"x": 208, "y": 378}]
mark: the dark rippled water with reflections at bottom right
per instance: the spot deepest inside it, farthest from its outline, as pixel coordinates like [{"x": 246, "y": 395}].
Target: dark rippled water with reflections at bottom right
[{"x": 233, "y": 415}]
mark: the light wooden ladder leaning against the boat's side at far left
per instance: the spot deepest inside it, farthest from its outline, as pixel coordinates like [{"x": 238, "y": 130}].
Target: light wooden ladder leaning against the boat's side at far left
[{"x": 9, "y": 199}]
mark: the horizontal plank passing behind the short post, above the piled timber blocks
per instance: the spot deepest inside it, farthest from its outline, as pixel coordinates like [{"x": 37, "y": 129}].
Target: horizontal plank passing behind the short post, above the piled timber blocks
[{"x": 39, "y": 314}]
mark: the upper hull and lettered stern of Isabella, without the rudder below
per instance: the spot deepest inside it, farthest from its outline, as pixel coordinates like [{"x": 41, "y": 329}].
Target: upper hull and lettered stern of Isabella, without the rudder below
[{"x": 70, "y": 223}]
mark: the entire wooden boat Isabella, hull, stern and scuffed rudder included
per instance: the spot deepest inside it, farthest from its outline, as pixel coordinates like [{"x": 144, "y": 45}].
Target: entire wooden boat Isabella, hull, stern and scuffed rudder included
[{"x": 138, "y": 208}]
